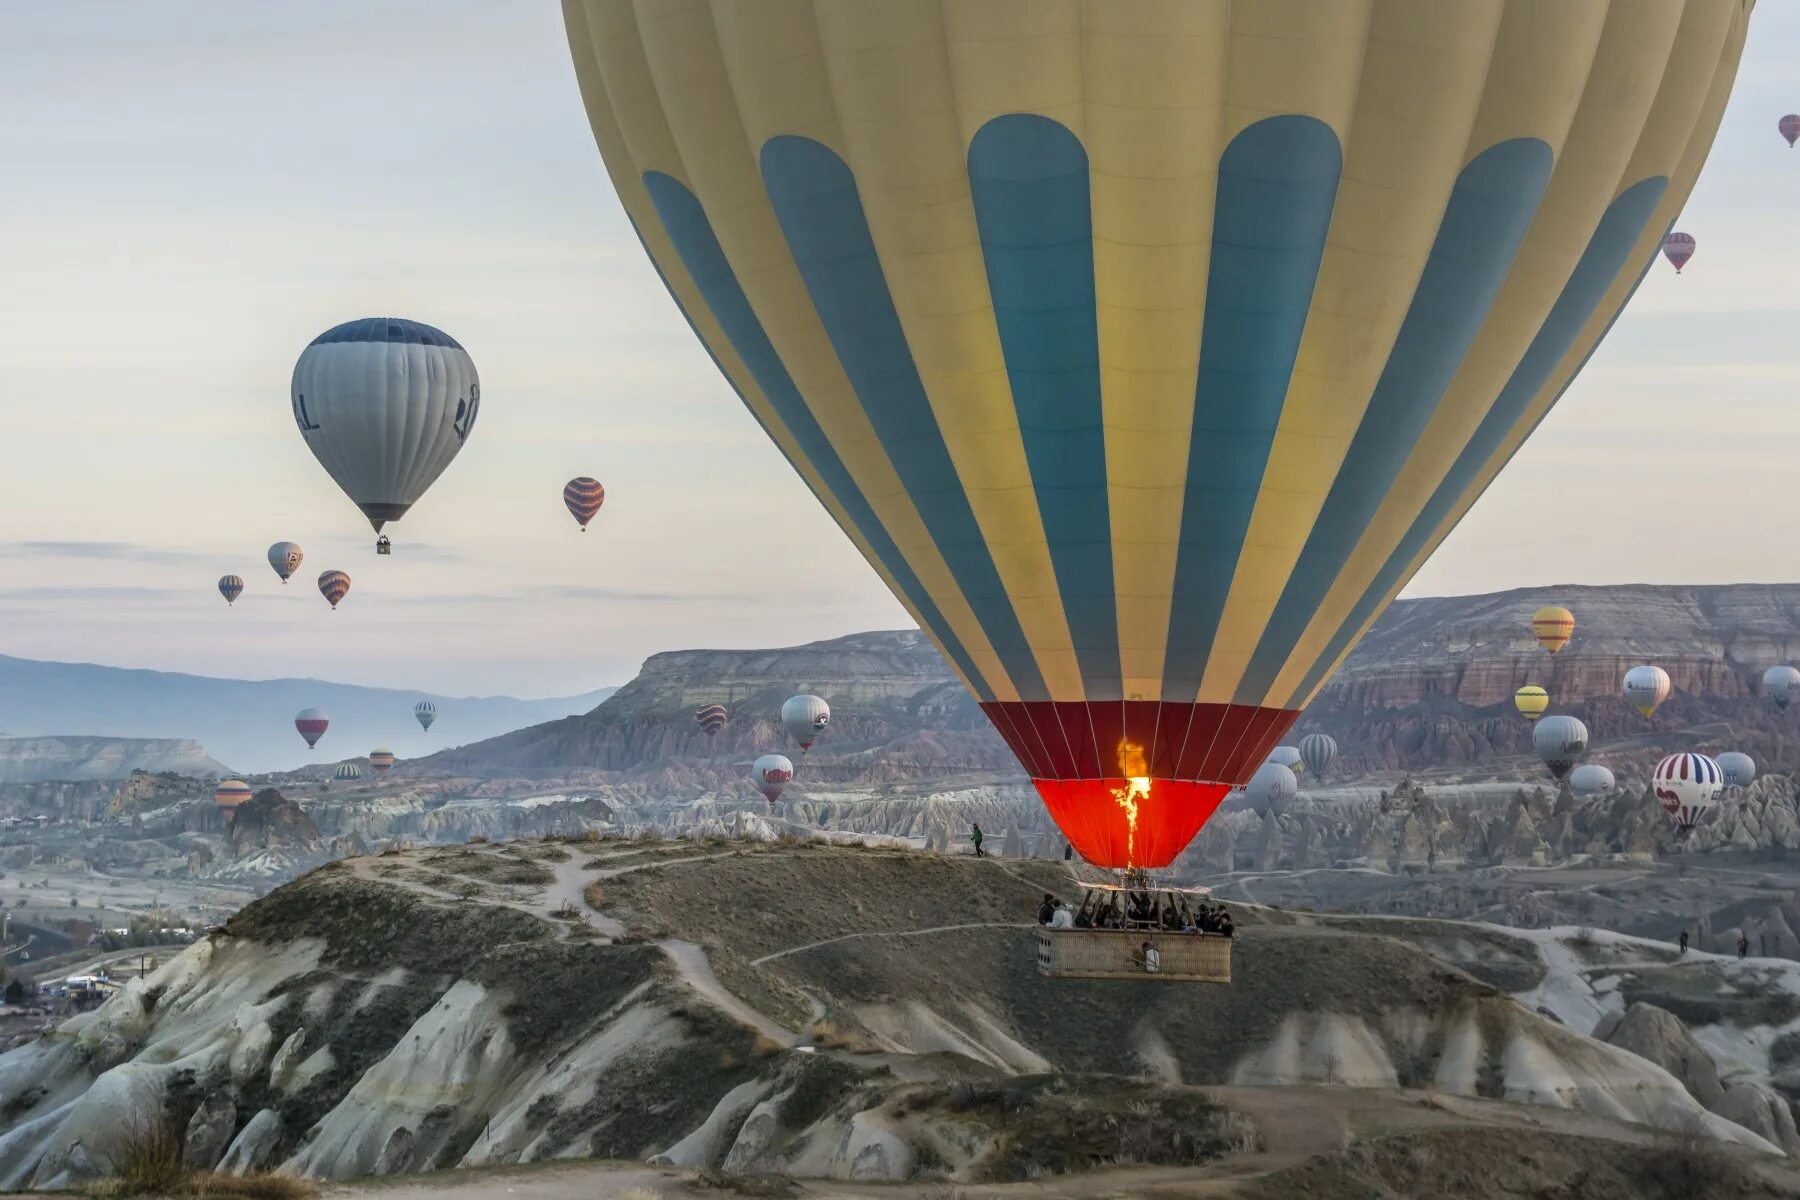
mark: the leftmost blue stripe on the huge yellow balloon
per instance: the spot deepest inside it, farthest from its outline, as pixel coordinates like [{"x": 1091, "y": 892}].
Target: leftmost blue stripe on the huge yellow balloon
[{"x": 692, "y": 235}]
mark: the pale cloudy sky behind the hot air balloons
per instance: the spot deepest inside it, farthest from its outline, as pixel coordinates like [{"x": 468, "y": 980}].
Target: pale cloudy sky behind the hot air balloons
[{"x": 193, "y": 190}]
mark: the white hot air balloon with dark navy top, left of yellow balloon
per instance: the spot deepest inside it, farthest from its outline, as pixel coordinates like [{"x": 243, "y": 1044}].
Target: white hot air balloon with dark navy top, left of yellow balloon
[{"x": 384, "y": 404}]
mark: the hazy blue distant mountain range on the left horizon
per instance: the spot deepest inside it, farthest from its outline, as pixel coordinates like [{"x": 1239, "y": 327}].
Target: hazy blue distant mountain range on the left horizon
[{"x": 249, "y": 724}]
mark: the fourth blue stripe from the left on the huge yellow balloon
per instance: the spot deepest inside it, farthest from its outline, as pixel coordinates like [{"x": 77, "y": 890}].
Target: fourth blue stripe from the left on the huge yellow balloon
[{"x": 1277, "y": 186}]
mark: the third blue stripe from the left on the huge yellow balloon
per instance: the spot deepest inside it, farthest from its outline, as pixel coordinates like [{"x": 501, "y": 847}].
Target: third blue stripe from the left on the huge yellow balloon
[{"x": 1029, "y": 181}]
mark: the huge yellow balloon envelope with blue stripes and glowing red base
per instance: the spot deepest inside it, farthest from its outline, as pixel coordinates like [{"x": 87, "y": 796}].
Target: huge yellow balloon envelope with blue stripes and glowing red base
[{"x": 1147, "y": 350}]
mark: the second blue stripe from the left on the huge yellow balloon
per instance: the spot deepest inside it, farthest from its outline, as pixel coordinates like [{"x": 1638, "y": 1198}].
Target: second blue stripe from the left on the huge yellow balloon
[{"x": 816, "y": 202}]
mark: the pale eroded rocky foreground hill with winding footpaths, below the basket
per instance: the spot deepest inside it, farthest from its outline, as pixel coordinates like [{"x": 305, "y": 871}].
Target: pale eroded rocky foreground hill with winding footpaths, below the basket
[{"x": 843, "y": 1014}]
